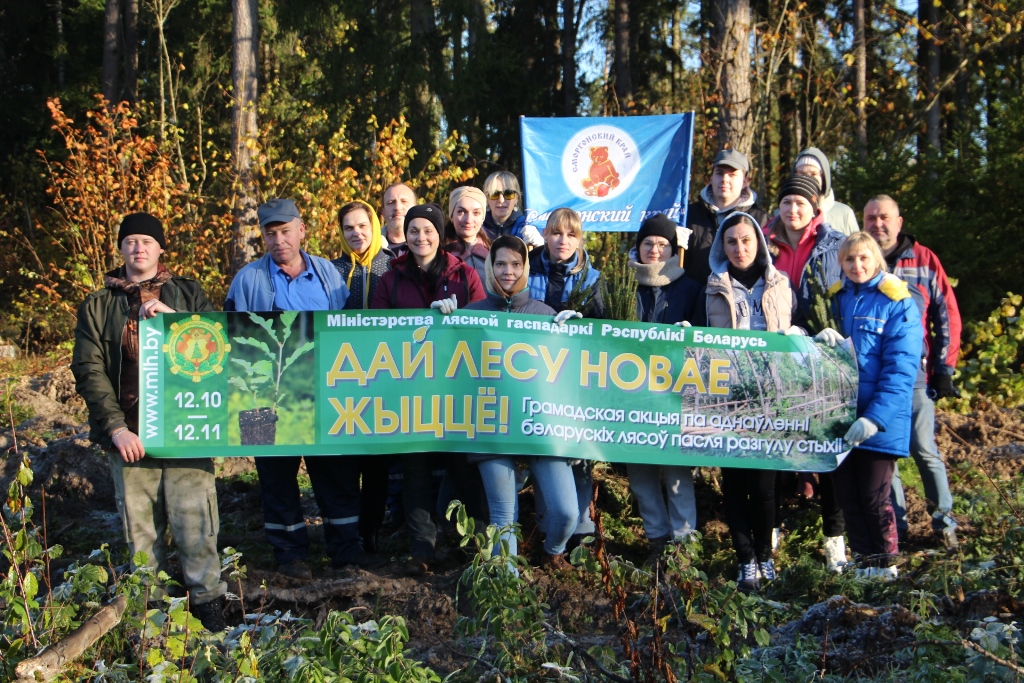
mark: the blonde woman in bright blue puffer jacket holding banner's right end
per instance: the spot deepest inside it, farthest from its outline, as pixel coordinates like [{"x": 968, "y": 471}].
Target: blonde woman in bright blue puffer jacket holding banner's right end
[{"x": 875, "y": 310}]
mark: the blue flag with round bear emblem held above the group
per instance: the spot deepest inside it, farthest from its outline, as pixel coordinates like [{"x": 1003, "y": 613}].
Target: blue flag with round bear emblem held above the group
[{"x": 615, "y": 172}]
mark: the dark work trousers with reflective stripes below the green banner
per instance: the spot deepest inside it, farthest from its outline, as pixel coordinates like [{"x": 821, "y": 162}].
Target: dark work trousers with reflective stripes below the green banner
[{"x": 336, "y": 487}]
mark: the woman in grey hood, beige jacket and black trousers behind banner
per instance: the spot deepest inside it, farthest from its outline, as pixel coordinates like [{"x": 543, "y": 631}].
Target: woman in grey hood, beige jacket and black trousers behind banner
[{"x": 746, "y": 292}]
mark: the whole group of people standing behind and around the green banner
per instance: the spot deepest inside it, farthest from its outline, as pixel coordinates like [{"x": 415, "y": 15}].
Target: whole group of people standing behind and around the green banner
[{"x": 740, "y": 270}]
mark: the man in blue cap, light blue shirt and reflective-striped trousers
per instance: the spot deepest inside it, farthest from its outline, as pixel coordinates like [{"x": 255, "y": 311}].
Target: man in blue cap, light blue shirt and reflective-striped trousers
[{"x": 289, "y": 279}]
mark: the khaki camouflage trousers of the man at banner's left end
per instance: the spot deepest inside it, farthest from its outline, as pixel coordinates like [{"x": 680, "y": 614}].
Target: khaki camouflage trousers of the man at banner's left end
[{"x": 156, "y": 496}]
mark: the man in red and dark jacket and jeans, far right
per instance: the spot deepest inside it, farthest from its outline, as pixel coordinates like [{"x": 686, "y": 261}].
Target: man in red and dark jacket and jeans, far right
[{"x": 921, "y": 270}]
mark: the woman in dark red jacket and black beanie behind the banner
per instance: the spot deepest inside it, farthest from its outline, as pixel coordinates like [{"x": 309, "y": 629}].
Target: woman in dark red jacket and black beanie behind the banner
[{"x": 426, "y": 277}]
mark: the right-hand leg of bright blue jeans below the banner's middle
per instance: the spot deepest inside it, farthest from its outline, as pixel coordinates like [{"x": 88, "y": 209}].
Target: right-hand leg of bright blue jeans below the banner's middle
[{"x": 558, "y": 502}]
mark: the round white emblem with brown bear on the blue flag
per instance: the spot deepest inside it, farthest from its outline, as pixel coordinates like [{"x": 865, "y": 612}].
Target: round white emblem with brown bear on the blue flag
[{"x": 601, "y": 162}]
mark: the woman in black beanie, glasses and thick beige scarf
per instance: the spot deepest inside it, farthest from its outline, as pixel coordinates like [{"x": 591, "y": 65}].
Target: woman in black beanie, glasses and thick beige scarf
[{"x": 665, "y": 494}]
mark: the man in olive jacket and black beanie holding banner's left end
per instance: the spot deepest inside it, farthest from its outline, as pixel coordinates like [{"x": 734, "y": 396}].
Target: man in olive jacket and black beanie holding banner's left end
[{"x": 154, "y": 496}]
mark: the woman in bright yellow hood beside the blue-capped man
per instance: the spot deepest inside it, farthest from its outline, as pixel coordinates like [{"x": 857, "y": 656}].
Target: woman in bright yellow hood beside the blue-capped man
[{"x": 365, "y": 259}]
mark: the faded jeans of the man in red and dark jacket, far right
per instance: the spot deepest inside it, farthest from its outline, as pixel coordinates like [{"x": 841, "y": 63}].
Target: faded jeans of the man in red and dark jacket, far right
[{"x": 933, "y": 471}]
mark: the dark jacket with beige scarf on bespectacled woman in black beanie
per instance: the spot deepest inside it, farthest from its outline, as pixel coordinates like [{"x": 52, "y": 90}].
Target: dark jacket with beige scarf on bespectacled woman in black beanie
[{"x": 665, "y": 294}]
